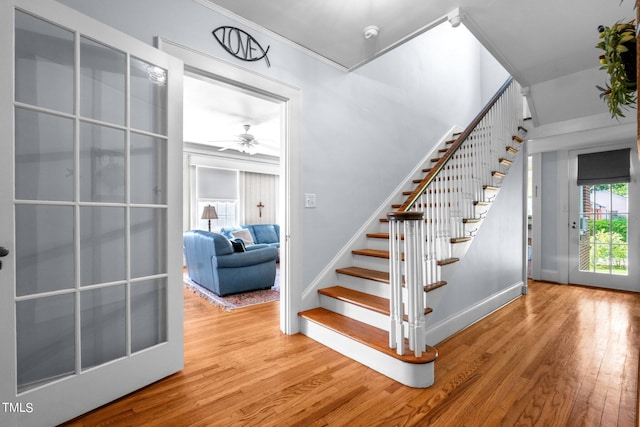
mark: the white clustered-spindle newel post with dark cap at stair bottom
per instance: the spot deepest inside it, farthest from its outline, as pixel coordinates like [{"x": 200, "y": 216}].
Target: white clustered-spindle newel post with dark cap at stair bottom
[{"x": 410, "y": 227}]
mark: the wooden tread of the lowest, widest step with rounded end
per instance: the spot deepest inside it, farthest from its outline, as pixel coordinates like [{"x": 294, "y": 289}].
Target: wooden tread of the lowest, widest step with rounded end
[{"x": 365, "y": 334}]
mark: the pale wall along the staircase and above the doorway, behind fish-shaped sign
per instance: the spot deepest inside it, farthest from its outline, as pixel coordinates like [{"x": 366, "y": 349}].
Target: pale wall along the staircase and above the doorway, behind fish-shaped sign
[{"x": 361, "y": 131}]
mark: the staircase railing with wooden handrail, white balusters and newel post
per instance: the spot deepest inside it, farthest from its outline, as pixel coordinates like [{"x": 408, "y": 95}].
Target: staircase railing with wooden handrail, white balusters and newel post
[{"x": 451, "y": 193}]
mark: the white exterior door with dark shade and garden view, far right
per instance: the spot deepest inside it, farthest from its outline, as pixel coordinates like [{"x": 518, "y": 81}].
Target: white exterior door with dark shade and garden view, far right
[{"x": 603, "y": 230}]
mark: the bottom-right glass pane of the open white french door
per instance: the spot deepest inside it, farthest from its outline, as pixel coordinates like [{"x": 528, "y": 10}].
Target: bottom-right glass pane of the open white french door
[{"x": 148, "y": 313}]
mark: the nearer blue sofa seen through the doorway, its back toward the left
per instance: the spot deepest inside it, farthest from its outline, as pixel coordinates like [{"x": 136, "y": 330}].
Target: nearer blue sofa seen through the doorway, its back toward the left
[{"x": 212, "y": 263}]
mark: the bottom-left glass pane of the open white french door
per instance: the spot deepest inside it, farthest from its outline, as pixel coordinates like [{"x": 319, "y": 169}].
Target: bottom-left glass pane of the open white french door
[{"x": 45, "y": 339}]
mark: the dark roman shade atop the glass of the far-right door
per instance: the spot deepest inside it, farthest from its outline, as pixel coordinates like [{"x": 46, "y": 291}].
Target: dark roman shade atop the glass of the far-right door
[{"x": 606, "y": 167}]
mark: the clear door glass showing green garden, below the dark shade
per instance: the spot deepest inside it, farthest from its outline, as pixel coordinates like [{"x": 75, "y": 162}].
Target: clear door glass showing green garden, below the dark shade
[{"x": 603, "y": 229}]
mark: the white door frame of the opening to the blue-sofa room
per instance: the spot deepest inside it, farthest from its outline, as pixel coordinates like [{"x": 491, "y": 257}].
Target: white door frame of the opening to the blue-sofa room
[{"x": 290, "y": 161}]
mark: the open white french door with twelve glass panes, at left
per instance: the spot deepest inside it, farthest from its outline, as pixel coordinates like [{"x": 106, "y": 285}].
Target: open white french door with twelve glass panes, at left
[{"x": 91, "y": 205}]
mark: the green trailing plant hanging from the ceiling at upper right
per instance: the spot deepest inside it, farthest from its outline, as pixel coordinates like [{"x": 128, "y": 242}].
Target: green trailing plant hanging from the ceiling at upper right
[{"x": 619, "y": 60}]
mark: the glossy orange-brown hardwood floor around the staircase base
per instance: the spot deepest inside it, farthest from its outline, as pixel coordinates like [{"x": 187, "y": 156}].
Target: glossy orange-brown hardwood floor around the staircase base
[{"x": 559, "y": 356}]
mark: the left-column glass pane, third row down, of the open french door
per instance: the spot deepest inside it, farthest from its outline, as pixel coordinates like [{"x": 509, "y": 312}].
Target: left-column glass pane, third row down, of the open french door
[{"x": 45, "y": 249}]
